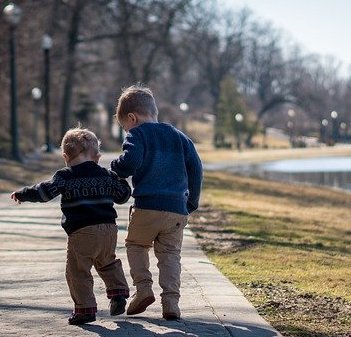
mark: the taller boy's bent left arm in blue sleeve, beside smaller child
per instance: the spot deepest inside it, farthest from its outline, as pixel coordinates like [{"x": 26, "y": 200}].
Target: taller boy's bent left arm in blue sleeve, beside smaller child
[{"x": 131, "y": 158}]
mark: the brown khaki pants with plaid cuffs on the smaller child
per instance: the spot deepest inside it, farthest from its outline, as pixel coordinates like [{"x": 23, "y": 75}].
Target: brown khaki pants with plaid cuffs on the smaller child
[{"x": 93, "y": 246}]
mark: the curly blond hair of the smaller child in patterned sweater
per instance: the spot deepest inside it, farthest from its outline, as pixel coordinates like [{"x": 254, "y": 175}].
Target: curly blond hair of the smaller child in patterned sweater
[{"x": 78, "y": 140}]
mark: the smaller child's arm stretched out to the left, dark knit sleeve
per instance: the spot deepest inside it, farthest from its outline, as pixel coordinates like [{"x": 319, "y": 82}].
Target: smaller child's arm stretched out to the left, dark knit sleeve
[{"x": 41, "y": 192}]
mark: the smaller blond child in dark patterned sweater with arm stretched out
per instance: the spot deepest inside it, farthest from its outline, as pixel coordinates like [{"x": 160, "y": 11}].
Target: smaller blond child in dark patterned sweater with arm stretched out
[{"x": 88, "y": 192}]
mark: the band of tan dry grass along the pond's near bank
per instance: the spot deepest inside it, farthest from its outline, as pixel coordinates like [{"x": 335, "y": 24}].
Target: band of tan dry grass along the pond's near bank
[{"x": 311, "y": 205}]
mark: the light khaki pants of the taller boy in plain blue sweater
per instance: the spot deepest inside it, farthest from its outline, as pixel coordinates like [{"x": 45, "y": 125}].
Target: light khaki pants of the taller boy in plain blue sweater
[{"x": 164, "y": 231}]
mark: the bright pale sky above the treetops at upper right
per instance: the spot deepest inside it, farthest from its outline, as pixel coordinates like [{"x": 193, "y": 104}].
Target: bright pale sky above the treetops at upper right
[{"x": 318, "y": 26}]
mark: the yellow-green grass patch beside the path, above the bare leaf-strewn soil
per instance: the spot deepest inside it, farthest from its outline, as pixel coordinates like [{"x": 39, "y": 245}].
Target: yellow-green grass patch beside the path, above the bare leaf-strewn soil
[{"x": 317, "y": 272}]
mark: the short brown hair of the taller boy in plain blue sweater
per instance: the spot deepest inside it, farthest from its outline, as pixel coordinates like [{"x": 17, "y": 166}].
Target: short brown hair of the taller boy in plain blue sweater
[{"x": 136, "y": 99}]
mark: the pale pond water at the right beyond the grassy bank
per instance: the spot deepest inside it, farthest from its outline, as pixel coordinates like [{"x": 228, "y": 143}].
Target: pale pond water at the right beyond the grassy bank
[{"x": 328, "y": 171}]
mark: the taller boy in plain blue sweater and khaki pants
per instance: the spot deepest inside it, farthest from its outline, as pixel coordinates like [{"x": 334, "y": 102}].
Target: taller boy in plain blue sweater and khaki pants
[{"x": 166, "y": 175}]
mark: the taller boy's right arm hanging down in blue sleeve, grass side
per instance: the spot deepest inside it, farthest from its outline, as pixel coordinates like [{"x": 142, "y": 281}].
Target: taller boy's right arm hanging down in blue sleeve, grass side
[{"x": 195, "y": 172}]
